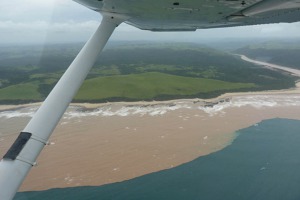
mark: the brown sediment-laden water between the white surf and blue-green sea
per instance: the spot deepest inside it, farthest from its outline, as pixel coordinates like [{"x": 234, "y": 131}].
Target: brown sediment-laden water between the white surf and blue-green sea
[{"x": 97, "y": 150}]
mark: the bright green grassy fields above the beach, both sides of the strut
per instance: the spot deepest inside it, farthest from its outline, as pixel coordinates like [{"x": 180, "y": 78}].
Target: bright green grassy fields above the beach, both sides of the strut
[{"x": 144, "y": 86}]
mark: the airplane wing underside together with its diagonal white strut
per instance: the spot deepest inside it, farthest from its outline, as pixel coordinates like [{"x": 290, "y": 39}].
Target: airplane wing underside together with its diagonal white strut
[{"x": 154, "y": 15}]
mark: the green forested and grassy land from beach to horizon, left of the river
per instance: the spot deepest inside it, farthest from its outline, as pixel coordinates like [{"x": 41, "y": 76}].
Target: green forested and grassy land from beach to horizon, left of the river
[{"x": 133, "y": 71}]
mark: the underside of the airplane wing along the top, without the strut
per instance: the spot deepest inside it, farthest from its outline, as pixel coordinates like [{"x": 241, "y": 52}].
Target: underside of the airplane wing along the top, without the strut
[{"x": 188, "y": 15}]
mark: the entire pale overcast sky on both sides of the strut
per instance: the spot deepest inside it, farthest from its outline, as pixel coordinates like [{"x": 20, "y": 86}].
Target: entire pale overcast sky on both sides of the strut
[{"x": 48, "y": 21}]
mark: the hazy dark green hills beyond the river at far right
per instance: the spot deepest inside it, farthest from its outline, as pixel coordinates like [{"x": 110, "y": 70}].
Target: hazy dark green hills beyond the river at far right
[{"x": 283, "y": 53}]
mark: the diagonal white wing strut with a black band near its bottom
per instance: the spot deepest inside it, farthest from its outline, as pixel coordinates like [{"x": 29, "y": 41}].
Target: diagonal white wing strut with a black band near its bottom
[{"x": 19, "y": 159}]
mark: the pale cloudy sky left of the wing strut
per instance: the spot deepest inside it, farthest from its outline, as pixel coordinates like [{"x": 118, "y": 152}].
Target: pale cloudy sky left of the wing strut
[{"x": 34, "y": 21}]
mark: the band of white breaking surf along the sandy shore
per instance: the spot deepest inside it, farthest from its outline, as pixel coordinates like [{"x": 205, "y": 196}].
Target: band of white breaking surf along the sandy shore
[{"x": 211, "y": 108}]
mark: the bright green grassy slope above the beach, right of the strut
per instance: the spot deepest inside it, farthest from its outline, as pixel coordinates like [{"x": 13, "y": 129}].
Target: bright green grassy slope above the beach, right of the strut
[{"x": 150, "y": 85}]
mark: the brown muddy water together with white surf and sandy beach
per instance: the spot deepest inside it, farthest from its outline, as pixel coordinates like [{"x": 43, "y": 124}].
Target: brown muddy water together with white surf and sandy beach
[{"x": 97, "y": 144}]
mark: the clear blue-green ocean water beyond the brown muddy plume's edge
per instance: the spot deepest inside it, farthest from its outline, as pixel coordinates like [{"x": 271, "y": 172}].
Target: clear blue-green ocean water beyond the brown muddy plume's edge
[{"x": 263, "y": 162}]
